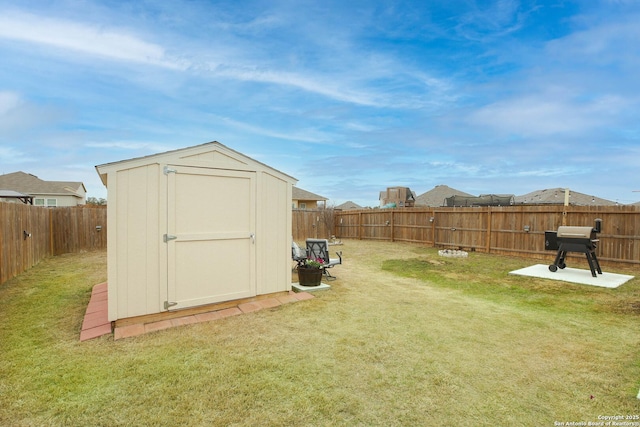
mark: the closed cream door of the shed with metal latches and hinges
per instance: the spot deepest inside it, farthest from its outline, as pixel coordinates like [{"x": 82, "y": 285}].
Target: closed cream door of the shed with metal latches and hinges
[{"x": 211, "y": 236}]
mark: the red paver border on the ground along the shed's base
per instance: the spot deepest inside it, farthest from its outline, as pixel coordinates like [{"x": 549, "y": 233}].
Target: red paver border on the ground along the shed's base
[{"x": 96, "y": 321}]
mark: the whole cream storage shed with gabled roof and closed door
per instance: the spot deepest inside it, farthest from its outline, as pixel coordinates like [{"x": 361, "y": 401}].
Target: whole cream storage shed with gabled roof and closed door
[{"x": 195, "y": 226}]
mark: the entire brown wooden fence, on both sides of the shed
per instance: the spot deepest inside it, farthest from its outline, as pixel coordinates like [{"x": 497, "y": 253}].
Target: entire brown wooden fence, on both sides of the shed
[{"x": 510, "y": 230}]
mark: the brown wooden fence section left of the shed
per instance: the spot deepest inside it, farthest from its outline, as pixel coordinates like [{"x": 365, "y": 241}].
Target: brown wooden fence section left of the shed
[{"x": 30, "y": 233}]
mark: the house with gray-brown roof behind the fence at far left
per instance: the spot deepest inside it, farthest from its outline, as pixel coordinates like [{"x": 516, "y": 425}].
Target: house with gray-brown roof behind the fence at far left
[{"x": 43, "y": 193}]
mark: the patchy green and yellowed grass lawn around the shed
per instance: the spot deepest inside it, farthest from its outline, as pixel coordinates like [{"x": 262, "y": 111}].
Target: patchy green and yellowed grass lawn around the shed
[{"x": 403, "y": 338}]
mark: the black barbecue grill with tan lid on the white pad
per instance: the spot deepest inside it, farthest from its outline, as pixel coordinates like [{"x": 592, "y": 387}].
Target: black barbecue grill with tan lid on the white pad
[{"x": 574, "y": 239}]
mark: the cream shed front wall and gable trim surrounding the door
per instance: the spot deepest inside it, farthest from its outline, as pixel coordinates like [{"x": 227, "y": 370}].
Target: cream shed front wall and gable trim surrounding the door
[{"x": 137, "y": 220}]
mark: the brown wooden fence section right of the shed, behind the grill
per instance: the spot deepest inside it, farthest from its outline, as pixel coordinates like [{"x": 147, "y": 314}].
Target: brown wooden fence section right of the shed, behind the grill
[{"x": 509, "y": 230}]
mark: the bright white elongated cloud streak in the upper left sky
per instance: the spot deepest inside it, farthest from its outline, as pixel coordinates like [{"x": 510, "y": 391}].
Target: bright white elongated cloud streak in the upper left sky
[{"x": 109, "y": 43}]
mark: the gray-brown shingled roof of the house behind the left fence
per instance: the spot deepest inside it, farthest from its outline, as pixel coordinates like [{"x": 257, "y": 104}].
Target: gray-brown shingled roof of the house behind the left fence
[{"x": 30, "y": 184}]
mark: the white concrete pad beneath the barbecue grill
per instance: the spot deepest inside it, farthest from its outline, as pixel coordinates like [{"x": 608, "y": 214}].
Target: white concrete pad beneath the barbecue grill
[{"x": 574, "y": 275}]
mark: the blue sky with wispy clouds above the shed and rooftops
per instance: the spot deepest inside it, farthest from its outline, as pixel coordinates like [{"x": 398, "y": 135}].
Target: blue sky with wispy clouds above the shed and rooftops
[{"x": 348, "y": 97}]
